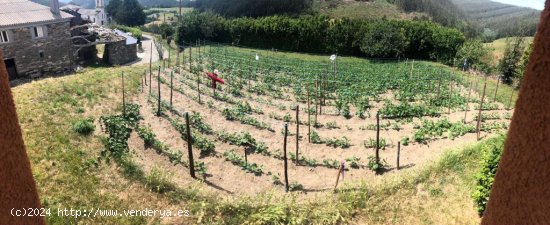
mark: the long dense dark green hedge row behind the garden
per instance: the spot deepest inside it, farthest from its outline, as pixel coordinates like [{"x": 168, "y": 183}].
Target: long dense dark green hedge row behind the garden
[{"x": 320, "y": 34}]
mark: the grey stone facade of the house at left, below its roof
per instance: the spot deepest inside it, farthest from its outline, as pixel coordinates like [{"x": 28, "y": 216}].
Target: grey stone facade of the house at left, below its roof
[{"x": 56, "y": 48}]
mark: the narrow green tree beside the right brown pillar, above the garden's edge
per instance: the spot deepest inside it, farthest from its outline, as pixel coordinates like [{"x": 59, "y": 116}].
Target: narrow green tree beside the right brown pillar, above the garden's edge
[{"x": 509, "y": 64}]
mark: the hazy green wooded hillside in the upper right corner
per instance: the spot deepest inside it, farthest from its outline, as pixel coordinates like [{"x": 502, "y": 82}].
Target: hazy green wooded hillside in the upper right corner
[{"x": 500, "y": 20}]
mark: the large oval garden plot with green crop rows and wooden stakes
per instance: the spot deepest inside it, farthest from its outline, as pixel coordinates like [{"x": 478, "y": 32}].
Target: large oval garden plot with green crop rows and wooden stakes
[{"x": 421, "y": 108}]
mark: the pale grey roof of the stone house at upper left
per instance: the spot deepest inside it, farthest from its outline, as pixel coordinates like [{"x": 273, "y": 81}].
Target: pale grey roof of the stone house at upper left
[{"x": 21, "y": 12}]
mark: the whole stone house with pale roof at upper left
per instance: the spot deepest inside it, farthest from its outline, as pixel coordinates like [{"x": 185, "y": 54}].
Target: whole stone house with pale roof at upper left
[{"x": 35, "y": 39}]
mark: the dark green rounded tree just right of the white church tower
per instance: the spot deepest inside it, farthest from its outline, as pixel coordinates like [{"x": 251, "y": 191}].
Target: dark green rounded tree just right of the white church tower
[{"x": 130, "y": 13}]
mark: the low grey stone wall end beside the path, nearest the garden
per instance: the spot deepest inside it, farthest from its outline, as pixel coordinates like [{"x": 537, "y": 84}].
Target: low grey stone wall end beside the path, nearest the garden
[{"x": 118, "y": 53}]
